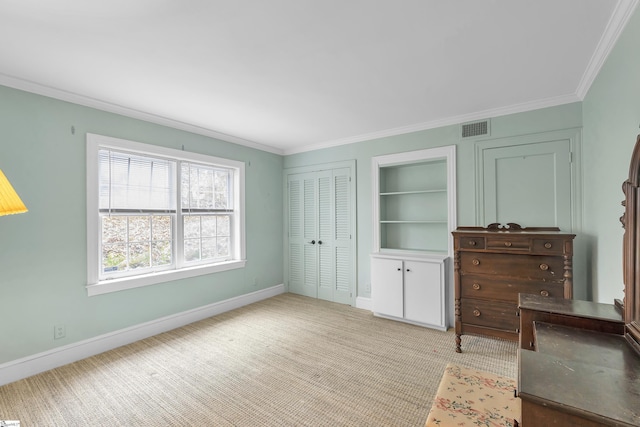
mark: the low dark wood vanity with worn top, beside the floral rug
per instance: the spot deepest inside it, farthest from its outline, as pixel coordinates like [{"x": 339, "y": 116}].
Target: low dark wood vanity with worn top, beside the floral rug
[{"x": 578, "y": 376}]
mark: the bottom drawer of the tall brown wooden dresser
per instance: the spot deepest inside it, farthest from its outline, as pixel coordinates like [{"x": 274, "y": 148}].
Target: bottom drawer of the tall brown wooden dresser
[{"x": 498, "y": 315}]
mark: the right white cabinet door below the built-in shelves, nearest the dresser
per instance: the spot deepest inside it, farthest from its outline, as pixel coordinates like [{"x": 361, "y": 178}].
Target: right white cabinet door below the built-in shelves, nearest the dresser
[{"x": 423, "y": 293}]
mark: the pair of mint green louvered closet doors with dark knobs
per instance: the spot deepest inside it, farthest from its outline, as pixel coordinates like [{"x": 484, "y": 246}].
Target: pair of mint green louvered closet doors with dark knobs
[{"x": 320, "y": 235}]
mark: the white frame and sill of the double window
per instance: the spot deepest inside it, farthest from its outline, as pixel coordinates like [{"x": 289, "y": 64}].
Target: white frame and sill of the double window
[{"x": 95, "y": 286}]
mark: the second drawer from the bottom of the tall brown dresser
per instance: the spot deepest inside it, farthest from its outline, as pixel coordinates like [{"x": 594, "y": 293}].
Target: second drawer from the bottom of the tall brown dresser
[{"x": 488, "y": 288}]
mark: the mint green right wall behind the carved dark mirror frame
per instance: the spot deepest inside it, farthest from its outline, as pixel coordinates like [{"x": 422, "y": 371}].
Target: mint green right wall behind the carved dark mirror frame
[{"x": 611, "y": 119}]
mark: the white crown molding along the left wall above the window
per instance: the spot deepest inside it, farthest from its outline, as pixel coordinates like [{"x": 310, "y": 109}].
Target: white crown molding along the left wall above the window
[{"x": 51, "y": 92}]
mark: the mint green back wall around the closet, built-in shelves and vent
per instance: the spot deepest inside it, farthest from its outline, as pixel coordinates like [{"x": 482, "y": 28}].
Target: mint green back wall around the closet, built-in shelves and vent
[{"x": 561, "y": 117}]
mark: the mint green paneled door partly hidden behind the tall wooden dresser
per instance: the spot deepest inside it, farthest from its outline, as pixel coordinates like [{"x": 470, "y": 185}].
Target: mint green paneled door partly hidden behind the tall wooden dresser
[{"x": 528, "y": 184}]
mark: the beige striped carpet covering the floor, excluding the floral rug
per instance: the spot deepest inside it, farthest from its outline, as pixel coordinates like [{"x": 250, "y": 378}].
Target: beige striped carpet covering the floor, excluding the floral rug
[{"x": 285, "y": 361}]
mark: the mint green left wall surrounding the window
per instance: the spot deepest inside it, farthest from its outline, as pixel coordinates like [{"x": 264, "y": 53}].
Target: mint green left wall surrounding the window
[{"x": 43, "y": 252}]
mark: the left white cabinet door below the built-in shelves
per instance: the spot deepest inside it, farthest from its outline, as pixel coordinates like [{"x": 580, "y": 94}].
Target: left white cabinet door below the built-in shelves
[{"x": 386, "y": 287}]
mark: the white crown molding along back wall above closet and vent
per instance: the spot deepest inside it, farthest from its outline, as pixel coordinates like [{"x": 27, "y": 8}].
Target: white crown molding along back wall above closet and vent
[{"x": 495, "y": 112}]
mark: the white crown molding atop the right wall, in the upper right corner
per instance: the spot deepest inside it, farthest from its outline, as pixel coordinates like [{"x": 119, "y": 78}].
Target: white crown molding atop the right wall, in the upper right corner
[{"x": 621, "y": 14}]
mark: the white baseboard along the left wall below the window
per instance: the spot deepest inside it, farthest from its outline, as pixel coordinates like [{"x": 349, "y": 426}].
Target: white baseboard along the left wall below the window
[{"x": 37, "y": 363}]
